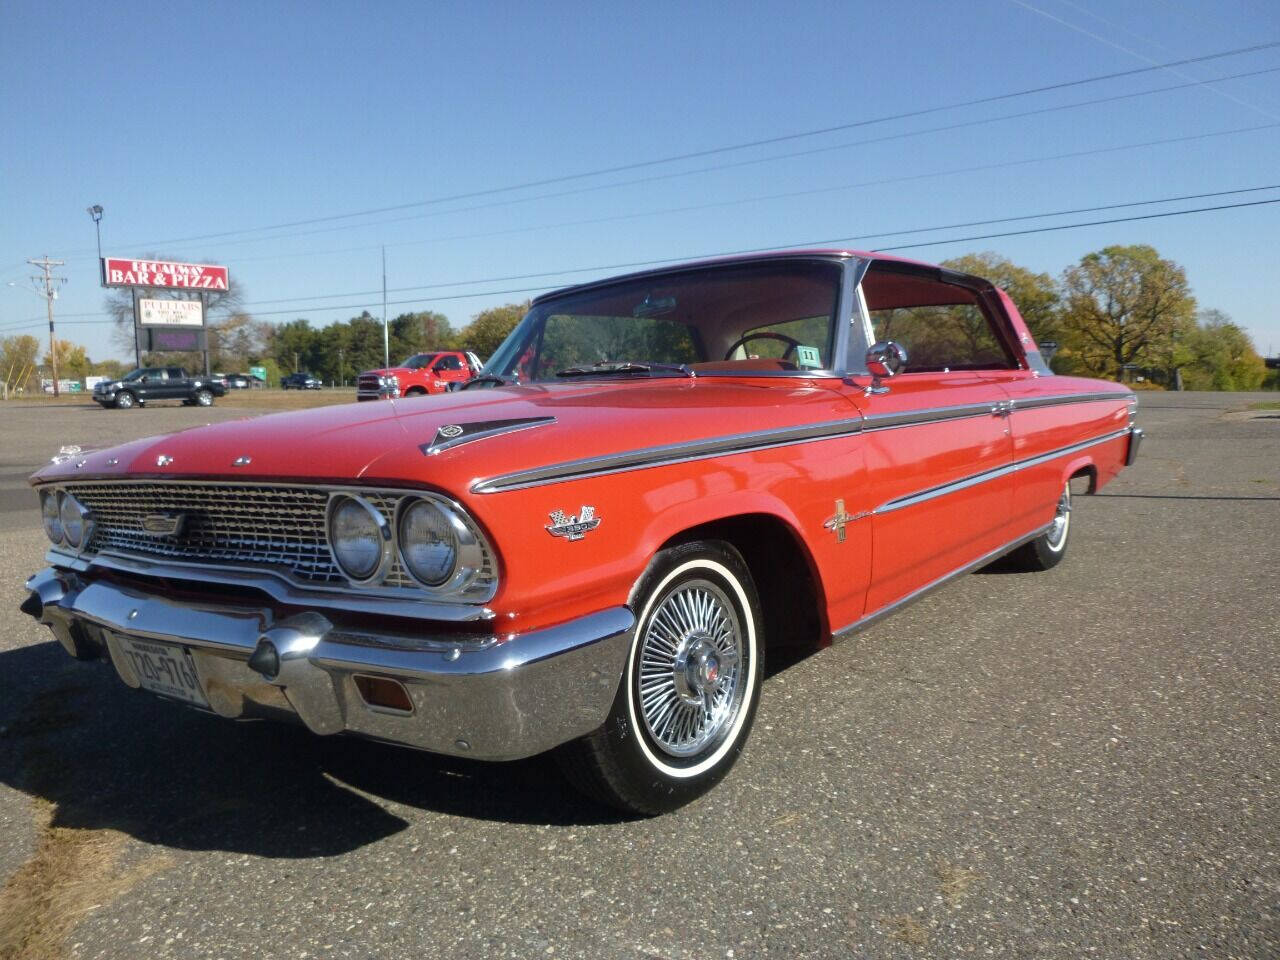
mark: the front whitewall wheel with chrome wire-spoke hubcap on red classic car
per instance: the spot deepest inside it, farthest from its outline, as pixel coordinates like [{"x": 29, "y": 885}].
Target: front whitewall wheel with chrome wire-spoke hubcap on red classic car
[{"x": 691, "y": 689}]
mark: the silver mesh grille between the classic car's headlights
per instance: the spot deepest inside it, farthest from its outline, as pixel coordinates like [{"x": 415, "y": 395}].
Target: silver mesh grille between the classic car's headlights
[{"x": 258, "y": 527}]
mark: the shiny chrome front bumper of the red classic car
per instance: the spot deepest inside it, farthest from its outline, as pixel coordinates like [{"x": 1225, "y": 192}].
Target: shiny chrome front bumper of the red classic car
[{"x": 488, "y": 698}]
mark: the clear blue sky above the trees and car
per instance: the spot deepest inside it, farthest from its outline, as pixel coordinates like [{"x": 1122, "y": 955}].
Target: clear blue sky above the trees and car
[{"x": 188, "y": 121}]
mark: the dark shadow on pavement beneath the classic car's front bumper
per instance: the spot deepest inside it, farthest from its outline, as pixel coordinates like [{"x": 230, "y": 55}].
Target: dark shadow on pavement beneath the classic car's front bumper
[{"x": 113, "y": 758}]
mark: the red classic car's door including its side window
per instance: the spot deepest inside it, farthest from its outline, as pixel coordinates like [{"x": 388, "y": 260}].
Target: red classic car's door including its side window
[{"x": 940, "y": 486}]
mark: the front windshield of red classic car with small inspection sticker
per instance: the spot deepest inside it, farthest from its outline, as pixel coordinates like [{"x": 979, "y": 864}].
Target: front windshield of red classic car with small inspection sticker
[{"x": 740, "y": 319}]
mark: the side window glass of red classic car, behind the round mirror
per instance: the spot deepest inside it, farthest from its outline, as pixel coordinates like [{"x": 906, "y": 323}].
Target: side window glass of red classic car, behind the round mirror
[{"x": 944, "y": 327}]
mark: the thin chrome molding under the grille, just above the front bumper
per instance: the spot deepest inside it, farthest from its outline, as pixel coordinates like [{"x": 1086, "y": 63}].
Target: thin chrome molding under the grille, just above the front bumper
[{"x": 354, "y": 601}]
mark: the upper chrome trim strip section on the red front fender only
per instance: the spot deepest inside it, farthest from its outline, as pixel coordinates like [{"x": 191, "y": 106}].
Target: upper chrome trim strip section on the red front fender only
[{"x": 668, "y": 455}]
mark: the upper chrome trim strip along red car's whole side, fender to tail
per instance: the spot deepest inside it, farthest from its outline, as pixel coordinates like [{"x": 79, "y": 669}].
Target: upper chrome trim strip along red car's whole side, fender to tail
[{"x": 749, "y": 442}]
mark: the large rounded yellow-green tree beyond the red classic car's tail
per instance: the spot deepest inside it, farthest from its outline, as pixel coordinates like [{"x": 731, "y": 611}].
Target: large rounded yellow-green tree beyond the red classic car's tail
[{"x": 1126, "y": 305}]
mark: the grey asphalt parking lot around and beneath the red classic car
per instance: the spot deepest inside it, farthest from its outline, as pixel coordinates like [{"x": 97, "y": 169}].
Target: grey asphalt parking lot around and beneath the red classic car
[{"x": 1064, "y": 765}]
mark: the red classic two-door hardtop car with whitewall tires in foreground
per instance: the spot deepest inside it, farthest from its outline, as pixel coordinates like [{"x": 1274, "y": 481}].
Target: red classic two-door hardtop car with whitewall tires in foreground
[{"x": 656, "y": 482}]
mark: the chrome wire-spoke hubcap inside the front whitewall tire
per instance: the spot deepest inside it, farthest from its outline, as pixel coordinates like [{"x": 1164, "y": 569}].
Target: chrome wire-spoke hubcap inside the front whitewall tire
[{"x": 691, "y": 669}]
